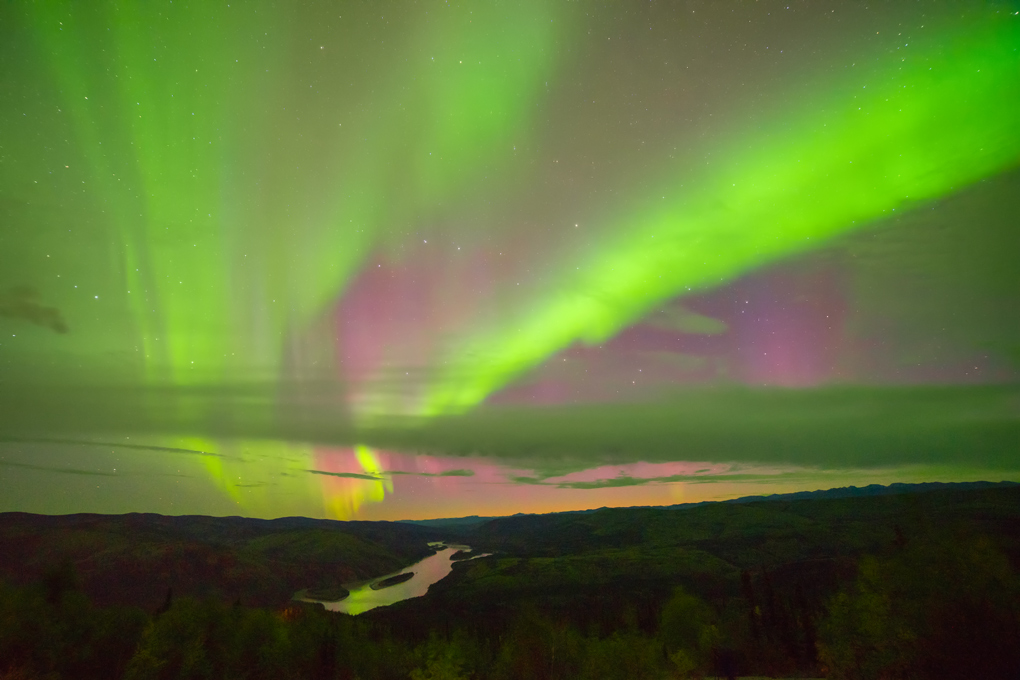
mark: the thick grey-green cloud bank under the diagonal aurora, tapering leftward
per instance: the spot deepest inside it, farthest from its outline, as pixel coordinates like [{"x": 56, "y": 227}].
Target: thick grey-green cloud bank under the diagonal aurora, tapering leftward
[{"x": 834, "y": 428}]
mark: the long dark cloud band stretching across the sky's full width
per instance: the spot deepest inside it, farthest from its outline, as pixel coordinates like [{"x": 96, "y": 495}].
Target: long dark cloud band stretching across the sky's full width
[{"x": 828, "y": 428}]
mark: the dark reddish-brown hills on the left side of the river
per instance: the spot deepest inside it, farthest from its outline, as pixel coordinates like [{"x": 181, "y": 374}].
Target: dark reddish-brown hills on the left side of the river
[{"x": 134, "y": 559}]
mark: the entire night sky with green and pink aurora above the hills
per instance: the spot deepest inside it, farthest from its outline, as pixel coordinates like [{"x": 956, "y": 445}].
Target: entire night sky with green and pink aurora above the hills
[{"x": 398, "y": 260}]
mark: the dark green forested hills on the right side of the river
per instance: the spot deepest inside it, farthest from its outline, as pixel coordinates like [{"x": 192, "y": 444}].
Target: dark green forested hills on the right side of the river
[{"x": 601, "y": 569}]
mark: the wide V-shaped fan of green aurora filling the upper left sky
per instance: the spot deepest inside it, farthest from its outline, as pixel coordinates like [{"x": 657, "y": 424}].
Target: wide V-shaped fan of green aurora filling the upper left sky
[{"x": 186, "y": 120}]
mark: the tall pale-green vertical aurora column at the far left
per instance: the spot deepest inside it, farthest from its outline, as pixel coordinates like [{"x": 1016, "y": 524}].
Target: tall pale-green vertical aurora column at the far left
[{"x": 151, "y": 115}]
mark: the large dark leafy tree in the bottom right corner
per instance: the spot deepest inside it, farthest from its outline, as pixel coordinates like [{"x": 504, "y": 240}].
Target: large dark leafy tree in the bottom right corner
[{"x": 935, "y": 609}]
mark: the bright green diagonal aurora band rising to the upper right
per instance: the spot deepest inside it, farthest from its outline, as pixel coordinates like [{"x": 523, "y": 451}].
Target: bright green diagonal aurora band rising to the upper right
[{"x": 914, "y": 130}]
